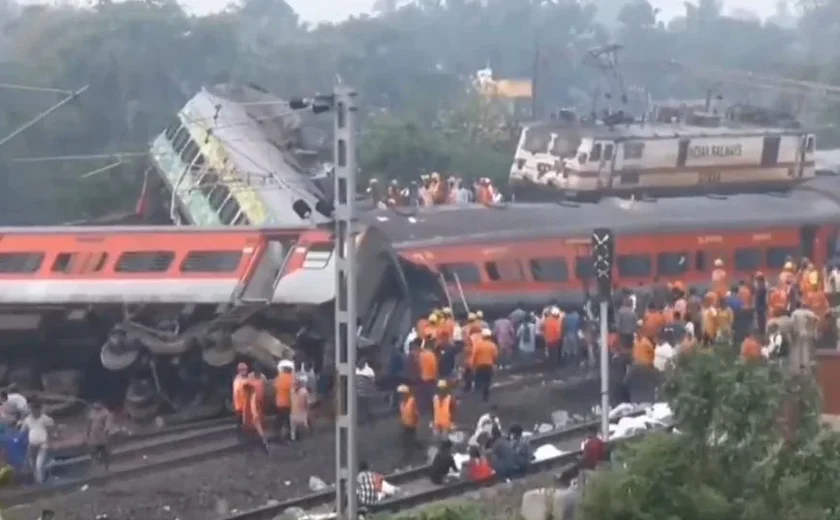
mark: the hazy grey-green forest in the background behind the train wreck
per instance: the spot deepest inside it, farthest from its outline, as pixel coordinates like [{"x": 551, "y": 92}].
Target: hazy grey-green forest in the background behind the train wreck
[{"x": 411, "y": 62}]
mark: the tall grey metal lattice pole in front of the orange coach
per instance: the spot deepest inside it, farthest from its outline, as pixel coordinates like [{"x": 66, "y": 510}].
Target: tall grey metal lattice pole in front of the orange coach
[{"x": 345, "y": 302}]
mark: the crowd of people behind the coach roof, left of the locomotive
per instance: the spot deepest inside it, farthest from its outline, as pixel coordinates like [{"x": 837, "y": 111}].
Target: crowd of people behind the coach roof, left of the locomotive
[{"x": 433, "y": 190}]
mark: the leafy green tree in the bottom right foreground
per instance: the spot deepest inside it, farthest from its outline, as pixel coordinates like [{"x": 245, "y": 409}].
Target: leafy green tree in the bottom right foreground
[{"x": 731, "y": 458}]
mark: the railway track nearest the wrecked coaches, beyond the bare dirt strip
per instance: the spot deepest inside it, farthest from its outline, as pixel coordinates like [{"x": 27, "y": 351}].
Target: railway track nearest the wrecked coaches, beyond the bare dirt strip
[{"x": 183, "y": 446}]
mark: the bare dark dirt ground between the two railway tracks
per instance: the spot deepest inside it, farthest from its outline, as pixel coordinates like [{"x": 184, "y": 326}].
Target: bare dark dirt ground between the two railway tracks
[{"x": 251, "y": 478}]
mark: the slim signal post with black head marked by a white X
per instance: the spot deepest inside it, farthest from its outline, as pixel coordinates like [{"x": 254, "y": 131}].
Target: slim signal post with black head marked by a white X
[{"x": 603, "y": 248}]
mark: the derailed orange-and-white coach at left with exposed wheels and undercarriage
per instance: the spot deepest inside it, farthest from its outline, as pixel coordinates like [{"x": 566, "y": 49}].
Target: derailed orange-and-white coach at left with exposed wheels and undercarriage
[{"x": 166, "y": 311}]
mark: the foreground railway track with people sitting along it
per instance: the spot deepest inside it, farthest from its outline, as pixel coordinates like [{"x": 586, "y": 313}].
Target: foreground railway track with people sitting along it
[{"x": 414, "y": 484}]
